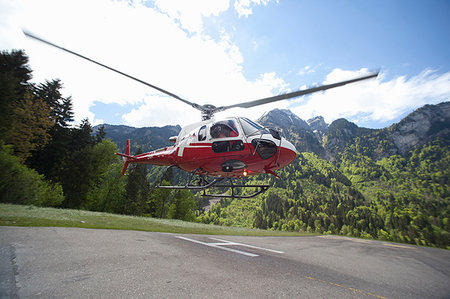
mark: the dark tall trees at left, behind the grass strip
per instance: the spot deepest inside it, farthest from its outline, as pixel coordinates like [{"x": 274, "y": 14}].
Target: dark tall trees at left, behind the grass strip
[{"x": 46, "y": 160}]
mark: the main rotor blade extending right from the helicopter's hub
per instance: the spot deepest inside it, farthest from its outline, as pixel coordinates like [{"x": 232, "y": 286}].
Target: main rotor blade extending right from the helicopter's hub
[{"x": 293, "y": 94}]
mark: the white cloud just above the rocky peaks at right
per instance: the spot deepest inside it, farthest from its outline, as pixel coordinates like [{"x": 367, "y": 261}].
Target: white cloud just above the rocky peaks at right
[{"x": 374, "y": 100}]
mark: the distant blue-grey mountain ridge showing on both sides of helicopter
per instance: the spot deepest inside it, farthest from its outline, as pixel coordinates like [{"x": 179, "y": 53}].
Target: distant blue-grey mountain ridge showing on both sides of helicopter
[{"x": 326, "y": 140}]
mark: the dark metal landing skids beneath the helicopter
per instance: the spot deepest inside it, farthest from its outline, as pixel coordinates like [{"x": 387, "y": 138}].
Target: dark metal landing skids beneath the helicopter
[{"x": 200, "y": 183}]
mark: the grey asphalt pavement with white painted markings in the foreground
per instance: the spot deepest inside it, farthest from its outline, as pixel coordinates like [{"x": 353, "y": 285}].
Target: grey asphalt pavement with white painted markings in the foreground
[{"x": 86, "y": 263}]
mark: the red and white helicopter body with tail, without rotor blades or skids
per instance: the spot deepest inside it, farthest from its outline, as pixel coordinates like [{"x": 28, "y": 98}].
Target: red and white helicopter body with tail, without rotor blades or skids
[{"x": 233, "y": 147}]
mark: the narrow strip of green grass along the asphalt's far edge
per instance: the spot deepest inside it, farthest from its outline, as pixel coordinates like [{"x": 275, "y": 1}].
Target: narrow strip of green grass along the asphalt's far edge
[{"x": 19, "y": 215}]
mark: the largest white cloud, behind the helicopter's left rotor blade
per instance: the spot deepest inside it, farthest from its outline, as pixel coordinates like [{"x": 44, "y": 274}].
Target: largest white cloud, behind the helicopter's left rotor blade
[{"x": 142, "y": 41}]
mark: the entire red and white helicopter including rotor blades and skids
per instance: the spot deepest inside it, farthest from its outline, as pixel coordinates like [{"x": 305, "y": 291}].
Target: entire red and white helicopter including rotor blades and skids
[{"x": 222, "y": 149}]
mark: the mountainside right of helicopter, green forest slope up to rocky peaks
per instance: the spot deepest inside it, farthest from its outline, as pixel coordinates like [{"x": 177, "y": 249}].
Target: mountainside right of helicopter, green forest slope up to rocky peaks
[{"x": 357, "y": 182}]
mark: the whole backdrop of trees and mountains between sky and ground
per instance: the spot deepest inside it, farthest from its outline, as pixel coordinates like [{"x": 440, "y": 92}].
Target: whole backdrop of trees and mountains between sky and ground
[{"x": 386, "y": 184}]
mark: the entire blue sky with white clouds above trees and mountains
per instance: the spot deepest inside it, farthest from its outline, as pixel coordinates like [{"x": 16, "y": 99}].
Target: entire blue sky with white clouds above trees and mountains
[{"x": 228, "y": 51}]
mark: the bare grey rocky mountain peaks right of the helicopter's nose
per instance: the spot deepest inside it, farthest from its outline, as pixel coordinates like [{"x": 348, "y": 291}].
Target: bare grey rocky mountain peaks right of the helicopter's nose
[{"x": 328, "y": 141}]
